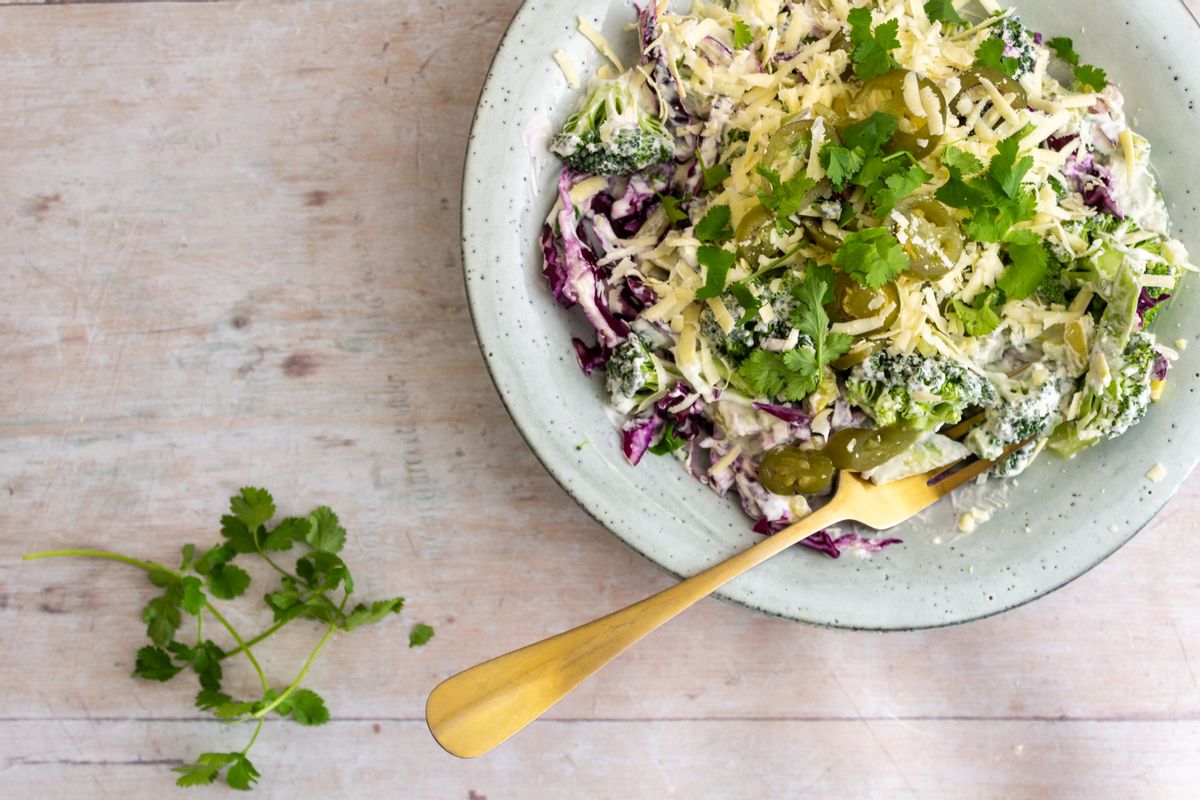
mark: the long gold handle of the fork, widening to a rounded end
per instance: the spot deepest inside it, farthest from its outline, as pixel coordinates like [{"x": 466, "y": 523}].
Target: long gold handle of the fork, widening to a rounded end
[{"x": 481, "y": 708}]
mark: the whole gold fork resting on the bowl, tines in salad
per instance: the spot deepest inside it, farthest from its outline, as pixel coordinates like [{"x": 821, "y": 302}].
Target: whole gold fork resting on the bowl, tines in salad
[{"x": 481, "y": 708}]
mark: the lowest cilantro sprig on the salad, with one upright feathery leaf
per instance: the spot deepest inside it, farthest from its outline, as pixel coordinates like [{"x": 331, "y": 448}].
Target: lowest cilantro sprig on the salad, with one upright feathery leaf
[{"x": 797, "y": 374}]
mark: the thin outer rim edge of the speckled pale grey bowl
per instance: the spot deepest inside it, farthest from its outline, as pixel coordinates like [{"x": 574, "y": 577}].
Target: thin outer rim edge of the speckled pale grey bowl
[{"x": 561, "y": 480}]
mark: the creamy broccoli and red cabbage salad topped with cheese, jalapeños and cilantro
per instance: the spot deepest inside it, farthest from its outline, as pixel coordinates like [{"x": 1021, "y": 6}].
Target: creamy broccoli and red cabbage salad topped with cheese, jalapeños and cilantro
[{"x": 814, "y": 236}]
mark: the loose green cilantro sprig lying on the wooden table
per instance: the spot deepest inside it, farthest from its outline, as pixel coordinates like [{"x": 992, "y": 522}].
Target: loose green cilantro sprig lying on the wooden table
[{"x": 319, "y": 588}]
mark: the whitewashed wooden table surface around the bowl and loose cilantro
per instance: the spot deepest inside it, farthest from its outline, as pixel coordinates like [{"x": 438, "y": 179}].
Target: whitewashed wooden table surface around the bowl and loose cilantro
[{"x": 230, "y": 256}]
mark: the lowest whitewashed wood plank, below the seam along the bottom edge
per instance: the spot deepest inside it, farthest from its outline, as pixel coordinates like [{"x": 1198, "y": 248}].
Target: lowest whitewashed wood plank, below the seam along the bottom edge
[{"x": 632, "y": 761}]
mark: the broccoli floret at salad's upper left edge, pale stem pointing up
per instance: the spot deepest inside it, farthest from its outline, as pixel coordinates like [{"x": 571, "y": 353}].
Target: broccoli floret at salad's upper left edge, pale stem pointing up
[{"x": 614, "y": 134}]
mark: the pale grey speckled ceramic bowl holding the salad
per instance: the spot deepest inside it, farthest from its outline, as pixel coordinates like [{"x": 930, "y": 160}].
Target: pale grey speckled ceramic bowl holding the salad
[{"x": 1052, "y": 526}]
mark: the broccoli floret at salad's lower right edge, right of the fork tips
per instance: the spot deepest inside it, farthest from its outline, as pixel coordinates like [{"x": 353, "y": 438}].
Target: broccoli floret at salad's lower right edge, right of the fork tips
[{"x": 1117, "y": 396}]
